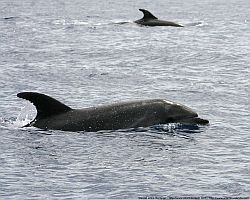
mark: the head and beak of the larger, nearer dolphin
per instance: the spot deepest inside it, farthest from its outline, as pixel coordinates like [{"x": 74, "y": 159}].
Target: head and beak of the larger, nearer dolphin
[{"x": 177, "y": 113}]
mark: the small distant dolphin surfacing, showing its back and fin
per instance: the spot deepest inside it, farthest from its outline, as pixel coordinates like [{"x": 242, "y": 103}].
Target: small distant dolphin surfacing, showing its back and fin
[{"x": 150, "y": 20}]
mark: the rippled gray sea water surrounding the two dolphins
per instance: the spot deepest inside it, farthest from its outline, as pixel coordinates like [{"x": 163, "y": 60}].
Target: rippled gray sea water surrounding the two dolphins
[{"x": 80, "y": 53}]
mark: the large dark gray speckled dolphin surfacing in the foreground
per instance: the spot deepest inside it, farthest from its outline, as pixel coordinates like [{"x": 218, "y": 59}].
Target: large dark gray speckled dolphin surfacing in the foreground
[{"x": 52, "y": 114}]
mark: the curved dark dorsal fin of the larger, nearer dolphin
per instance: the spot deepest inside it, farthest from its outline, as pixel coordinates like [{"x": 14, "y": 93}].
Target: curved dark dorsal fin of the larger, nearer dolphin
[{"x": 45, "y": 105}]
